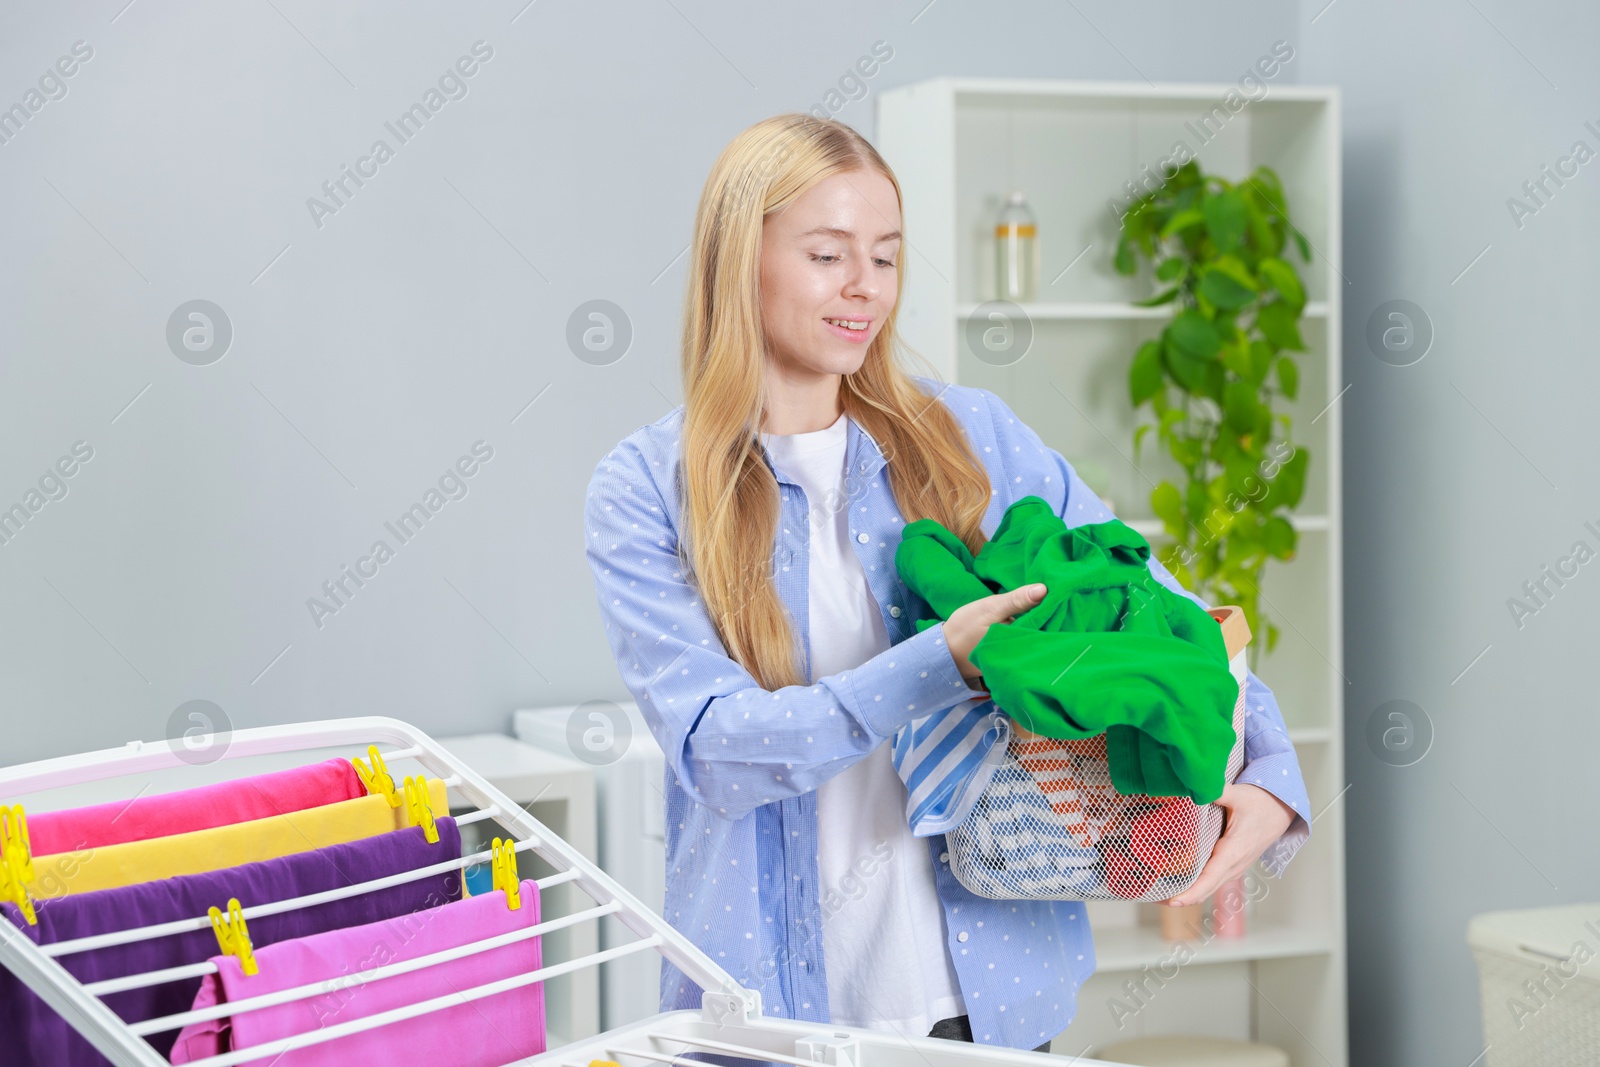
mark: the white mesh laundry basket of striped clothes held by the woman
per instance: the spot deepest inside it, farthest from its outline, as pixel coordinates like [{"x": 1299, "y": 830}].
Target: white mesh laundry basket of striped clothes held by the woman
[{"x": 1050, "y": 826}]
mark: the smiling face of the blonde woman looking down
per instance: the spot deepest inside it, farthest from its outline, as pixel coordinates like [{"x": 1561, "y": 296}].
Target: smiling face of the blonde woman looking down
[{"x": 830, "y": 276}]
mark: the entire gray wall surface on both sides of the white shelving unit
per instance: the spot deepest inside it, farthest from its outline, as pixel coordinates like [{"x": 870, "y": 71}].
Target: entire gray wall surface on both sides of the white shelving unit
[{"x": 431, "y": 311}]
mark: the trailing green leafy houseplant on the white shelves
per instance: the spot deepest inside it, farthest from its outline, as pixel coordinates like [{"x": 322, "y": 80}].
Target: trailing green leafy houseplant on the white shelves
[{"x": 1214, "y": 375}]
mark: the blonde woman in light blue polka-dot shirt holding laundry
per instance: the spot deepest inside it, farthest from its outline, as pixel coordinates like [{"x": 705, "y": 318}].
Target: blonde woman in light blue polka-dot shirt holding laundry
[{"x": 743, "y": 549}]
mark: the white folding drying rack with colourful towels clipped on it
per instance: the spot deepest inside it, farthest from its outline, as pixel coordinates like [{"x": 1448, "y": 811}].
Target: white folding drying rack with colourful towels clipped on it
[{"x": 729, "y": 1023}]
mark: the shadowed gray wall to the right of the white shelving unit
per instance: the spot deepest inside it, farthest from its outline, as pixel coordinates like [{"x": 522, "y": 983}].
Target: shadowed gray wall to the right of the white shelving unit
[{"x": 1465, "y": 474}]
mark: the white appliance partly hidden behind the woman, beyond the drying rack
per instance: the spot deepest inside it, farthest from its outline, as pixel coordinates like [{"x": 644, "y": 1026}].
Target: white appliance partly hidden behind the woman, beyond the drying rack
[{"x": 631, "y": 807}]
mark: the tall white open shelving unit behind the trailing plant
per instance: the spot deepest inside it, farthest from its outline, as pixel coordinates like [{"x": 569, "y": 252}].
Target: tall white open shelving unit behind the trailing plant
[{"x": 959, "y": 146}]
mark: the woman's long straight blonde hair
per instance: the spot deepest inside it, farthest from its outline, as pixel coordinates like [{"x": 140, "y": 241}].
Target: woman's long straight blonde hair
[{"x": 730, "y": 503}]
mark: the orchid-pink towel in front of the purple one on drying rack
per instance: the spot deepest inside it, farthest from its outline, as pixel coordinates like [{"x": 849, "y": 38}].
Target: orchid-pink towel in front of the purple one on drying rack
[{"x": 486, "y": 1033}]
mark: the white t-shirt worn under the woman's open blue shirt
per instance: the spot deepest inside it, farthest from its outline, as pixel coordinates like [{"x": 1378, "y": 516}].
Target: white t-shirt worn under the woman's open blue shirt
[{"x": 884, "y": 940}]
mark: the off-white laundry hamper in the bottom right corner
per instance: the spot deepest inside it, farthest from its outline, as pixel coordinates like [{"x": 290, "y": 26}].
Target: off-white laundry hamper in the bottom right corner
[{"x": 1540, "y": 977}]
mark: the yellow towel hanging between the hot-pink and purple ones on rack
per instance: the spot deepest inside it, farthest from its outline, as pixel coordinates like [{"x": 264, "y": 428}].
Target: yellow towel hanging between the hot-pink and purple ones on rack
[{"x": 116, "y": 866}]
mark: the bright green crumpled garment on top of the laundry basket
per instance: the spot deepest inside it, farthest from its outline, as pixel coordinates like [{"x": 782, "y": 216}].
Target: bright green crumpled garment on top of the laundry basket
[{"x": 1108, "y": 650}]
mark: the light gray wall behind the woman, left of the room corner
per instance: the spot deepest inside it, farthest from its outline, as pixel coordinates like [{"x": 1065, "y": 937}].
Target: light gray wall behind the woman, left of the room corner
[{"x": 422, "y": 318}]
